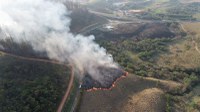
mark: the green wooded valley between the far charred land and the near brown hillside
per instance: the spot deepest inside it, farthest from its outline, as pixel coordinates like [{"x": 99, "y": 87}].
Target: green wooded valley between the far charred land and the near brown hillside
[{"x": 148, "y": 58}]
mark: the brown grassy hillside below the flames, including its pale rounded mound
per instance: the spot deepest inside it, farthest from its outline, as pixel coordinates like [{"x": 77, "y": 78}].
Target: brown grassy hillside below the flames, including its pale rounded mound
[{"x": 117, "y": 99}]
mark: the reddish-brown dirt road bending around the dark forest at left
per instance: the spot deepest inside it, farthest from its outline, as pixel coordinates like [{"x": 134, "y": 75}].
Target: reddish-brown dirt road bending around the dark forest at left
[{"x": 60, "y": 107}]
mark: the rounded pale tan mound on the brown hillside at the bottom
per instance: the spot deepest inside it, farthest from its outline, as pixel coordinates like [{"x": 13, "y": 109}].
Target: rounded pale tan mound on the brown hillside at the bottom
[{"x": 148, "y": 100}]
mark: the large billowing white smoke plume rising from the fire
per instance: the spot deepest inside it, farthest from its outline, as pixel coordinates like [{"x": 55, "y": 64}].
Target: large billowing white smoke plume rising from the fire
[{"x": 45, "y": 24}]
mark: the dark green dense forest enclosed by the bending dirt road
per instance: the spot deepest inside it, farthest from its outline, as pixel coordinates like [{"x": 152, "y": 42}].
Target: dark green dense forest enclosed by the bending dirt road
[{"x": 27, "y": 86}]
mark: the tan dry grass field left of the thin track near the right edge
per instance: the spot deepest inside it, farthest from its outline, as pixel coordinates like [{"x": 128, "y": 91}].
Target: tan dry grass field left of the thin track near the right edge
[{"x": 180, "y": 55}]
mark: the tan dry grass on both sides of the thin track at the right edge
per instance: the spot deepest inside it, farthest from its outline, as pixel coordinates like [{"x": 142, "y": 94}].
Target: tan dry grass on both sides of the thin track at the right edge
[{"x": 183, "y": 52}]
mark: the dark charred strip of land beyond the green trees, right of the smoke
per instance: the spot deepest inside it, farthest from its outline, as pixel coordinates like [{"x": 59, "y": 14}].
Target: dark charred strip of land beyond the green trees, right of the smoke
[{"x": 138, "y": 31}]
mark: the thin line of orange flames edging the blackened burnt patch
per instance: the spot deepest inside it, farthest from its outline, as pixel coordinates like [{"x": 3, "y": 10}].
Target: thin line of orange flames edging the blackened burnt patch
[{"x": 113, "y": 85}]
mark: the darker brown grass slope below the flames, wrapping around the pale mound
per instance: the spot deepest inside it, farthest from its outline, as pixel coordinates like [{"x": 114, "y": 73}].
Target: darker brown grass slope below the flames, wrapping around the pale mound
[{"x": 115, "y": 99}]
